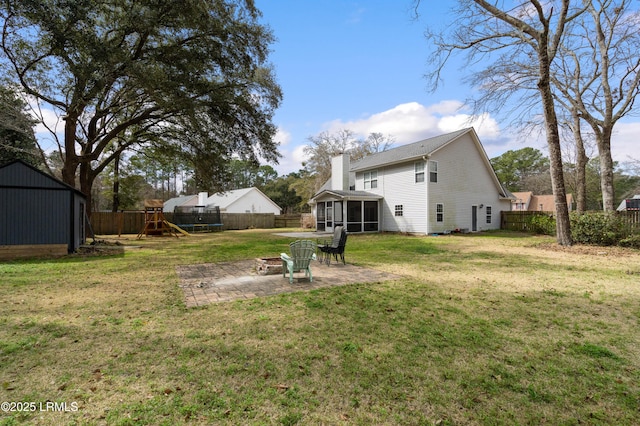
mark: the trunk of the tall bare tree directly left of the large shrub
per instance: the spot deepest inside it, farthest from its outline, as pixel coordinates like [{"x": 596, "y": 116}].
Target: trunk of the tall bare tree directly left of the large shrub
[{"x": 563, "y": 224}]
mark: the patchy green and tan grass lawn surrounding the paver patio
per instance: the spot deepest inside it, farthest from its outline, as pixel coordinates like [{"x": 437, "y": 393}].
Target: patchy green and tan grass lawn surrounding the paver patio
[{"x": 494, "y": 328}]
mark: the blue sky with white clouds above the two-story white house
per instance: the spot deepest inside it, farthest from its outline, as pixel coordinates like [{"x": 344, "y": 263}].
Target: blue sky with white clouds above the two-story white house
[{"x": 360, "y": 65}]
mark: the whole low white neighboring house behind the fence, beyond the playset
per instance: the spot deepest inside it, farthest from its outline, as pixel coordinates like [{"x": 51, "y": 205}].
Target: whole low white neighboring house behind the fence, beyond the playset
[{"x": 247, "y": 200}]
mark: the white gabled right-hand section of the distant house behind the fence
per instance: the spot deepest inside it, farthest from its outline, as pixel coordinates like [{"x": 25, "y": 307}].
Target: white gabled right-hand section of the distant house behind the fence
[{"x": 246, "y": 200}]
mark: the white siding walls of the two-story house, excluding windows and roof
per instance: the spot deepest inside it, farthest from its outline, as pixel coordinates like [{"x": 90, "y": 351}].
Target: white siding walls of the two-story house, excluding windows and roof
[{"x": 464, "y": 179}]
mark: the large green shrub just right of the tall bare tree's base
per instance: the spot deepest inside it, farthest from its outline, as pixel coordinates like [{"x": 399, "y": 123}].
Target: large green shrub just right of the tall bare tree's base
[{"x": 603, "y": 229}]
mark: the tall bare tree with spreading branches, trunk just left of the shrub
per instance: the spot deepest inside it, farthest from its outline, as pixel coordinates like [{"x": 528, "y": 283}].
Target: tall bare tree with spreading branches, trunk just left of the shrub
[{"x": 529, "y": 33}]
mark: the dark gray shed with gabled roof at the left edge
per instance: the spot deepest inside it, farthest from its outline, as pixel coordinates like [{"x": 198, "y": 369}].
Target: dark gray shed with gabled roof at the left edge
[{"x": 39, "y": 214}]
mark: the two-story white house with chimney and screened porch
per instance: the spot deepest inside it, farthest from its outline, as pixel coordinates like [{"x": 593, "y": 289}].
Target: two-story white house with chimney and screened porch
[{"x": 437, "y": 185}]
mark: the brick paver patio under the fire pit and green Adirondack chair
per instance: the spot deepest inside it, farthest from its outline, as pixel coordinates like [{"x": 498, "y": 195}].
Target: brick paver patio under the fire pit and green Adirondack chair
[{"x": 208, "y": 283}]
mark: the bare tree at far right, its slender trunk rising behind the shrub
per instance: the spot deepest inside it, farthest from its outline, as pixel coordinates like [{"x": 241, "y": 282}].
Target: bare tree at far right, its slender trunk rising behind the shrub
[{"x": 598, "y": 75}]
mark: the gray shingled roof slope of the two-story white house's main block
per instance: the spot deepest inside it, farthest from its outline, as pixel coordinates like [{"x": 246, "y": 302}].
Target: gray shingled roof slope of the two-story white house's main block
[{"x": 407, "y": 152}]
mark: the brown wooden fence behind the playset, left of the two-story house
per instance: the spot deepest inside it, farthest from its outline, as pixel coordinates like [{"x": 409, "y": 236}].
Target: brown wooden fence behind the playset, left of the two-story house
[{"x": 132, "y": 222}]
